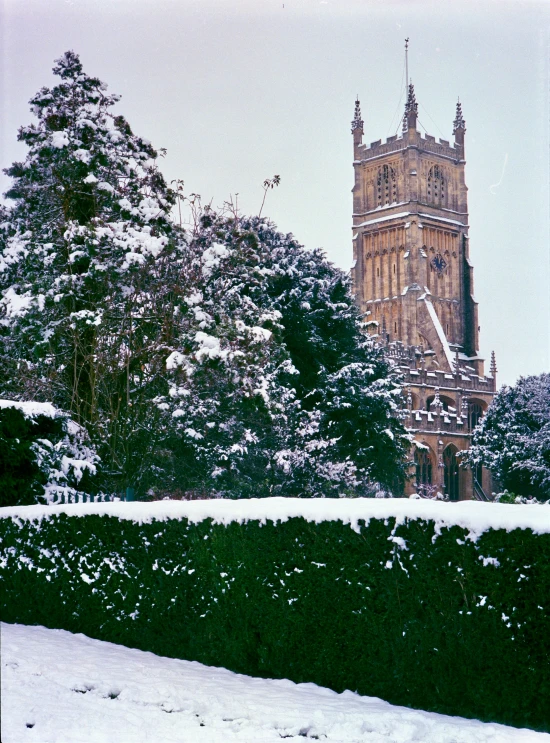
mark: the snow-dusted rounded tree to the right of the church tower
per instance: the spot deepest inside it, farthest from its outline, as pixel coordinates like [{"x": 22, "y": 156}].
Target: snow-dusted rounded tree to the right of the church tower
[{"x": 513, "y": 438}]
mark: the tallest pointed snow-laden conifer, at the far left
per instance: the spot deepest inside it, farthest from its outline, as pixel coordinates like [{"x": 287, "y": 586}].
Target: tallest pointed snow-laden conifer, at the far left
[{"x": 86, "y": 250}]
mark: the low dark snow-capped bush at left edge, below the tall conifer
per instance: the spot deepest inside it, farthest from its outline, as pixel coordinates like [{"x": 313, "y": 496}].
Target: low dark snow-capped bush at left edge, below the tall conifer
[{"x": 44, "y": 456}]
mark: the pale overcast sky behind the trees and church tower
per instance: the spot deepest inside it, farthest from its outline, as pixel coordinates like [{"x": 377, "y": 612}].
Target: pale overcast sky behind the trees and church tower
[{"x": 240, "y": 90}]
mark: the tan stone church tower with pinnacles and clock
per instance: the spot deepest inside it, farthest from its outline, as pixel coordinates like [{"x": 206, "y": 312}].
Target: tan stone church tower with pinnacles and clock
[{"x": 413, "y": 281}]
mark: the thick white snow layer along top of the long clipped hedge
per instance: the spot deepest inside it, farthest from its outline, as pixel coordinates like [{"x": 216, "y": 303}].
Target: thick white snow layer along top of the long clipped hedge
[{"x": 472, "y": 515}]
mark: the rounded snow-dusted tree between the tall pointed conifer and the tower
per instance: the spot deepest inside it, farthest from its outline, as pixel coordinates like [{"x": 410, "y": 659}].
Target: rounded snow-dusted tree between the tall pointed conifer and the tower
[{"x": 273, "y": 385}]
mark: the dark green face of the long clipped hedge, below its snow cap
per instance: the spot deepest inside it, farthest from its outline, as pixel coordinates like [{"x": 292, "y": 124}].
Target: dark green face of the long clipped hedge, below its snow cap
[{"x": 437, "y": 622}]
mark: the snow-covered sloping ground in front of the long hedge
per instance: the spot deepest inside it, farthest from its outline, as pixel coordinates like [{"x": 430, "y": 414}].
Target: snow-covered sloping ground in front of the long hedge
[{"x": 63, "y": 688}]
